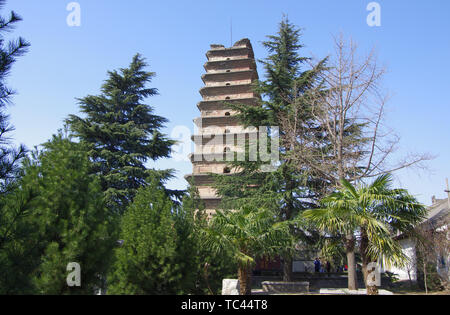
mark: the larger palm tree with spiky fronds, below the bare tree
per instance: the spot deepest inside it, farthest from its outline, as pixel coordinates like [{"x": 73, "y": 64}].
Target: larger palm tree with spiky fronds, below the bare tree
[{"x": 372, "y": 212}]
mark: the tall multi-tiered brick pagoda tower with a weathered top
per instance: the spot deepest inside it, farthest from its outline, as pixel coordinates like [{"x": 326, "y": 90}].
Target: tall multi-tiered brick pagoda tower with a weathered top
[{"x": 229, "y": 75}]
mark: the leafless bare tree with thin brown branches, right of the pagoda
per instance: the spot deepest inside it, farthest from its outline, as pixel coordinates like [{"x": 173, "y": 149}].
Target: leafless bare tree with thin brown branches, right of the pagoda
[{"x": 344, "y": 135}]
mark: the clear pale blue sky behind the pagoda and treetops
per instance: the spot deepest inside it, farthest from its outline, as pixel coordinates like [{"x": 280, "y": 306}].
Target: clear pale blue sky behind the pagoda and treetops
[{"x": 69, "y": 62}]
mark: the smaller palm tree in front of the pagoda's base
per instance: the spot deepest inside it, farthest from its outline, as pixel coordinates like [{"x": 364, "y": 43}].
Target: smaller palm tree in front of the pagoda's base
[{"x": 248, "y": 234}]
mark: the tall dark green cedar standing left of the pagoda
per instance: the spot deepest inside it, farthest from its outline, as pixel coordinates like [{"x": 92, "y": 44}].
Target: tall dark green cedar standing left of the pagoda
[{"x": 123, "y": 134}]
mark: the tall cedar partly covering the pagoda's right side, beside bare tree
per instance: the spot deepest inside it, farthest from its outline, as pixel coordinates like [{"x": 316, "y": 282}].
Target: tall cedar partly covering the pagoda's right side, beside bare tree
[{"x": 287, "y": 190}]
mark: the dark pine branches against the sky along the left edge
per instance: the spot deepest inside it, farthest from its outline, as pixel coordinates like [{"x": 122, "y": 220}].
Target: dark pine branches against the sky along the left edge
[{"x": 9, "y": 51}]
